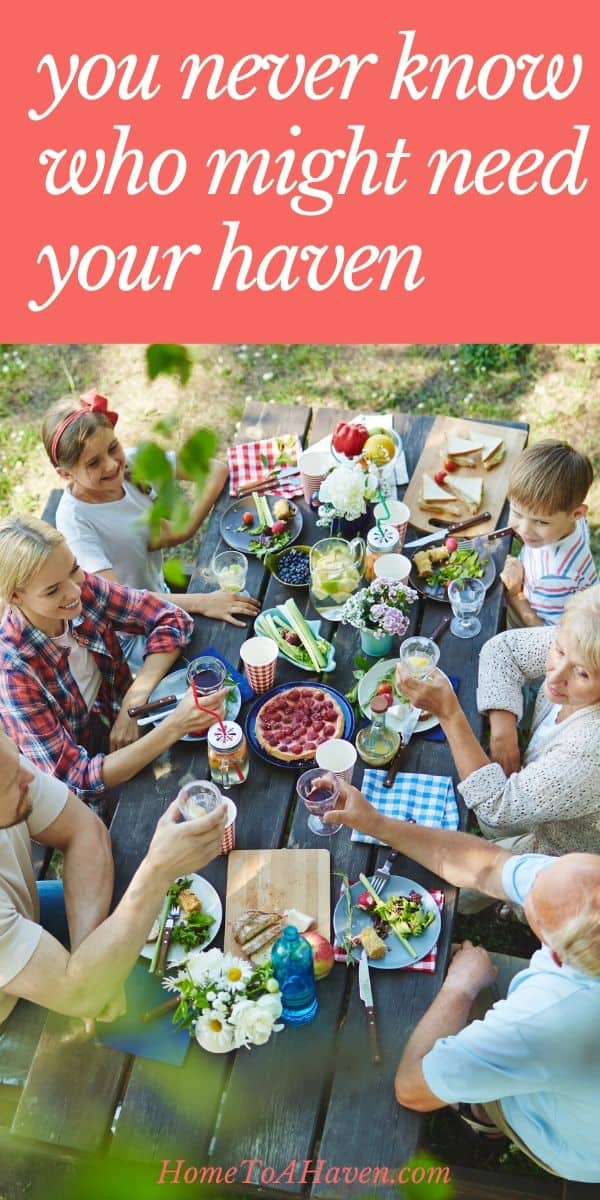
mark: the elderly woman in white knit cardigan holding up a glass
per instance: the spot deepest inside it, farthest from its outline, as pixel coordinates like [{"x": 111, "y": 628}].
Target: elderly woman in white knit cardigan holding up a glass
[{"x": 550, "y": 802}]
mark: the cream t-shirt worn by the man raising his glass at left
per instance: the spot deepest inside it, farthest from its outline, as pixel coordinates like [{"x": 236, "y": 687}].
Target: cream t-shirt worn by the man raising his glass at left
[{"x": 20, "y": 907}]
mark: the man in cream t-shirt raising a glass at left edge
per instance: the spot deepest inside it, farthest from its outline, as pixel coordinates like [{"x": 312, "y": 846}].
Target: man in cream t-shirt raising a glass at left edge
[{"x": 86, "y": 981}]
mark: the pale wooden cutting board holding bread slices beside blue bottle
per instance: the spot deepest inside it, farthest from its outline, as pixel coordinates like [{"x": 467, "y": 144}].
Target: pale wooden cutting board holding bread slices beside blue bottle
[{"x": 274, "y": 880}]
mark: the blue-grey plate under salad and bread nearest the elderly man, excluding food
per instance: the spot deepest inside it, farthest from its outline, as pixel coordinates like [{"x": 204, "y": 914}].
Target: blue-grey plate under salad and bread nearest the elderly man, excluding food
[{"x": 398, "y": 956}]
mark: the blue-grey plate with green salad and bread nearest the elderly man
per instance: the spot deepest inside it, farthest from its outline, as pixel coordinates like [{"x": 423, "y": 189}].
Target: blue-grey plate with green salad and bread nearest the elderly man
[{"x": 406, "y": 917}]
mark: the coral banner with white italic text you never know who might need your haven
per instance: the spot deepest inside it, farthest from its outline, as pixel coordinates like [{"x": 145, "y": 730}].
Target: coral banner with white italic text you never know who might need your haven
[{"x": 411, "y": 172}]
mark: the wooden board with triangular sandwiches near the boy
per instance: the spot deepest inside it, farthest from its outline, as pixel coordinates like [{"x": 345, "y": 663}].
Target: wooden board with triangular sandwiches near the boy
[{"x": 495, "y": 481}]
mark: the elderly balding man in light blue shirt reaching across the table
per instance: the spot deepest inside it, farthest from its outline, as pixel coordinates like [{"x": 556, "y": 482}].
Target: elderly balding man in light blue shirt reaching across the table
[{"x": 531, "y": 1066}]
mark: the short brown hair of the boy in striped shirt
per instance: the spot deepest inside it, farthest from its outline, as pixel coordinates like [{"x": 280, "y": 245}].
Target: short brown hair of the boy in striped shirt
[{"x": 551, "y": 477}]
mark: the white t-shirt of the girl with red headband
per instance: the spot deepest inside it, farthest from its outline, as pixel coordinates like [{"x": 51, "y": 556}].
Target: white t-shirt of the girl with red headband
[{"x": 113, "y": 536}]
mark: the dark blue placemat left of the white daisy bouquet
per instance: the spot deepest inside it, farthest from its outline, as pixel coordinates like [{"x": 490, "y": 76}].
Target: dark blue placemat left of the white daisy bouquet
[{"x": 160, "y": 1040}]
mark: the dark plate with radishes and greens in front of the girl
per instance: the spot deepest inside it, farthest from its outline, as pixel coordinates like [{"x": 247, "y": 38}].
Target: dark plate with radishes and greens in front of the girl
[{"x": 259, "y": 525}]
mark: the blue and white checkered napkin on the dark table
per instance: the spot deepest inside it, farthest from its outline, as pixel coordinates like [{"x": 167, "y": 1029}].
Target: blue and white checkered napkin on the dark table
[{"x": 428, "y": 800}]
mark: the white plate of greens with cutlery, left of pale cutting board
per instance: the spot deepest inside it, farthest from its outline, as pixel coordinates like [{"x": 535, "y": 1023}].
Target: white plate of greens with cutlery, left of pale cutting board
[{"x": 199, "y": 925}]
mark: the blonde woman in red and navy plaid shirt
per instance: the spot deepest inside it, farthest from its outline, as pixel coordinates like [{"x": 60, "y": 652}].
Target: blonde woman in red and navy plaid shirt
[{"x": 65, "y": 686}]
